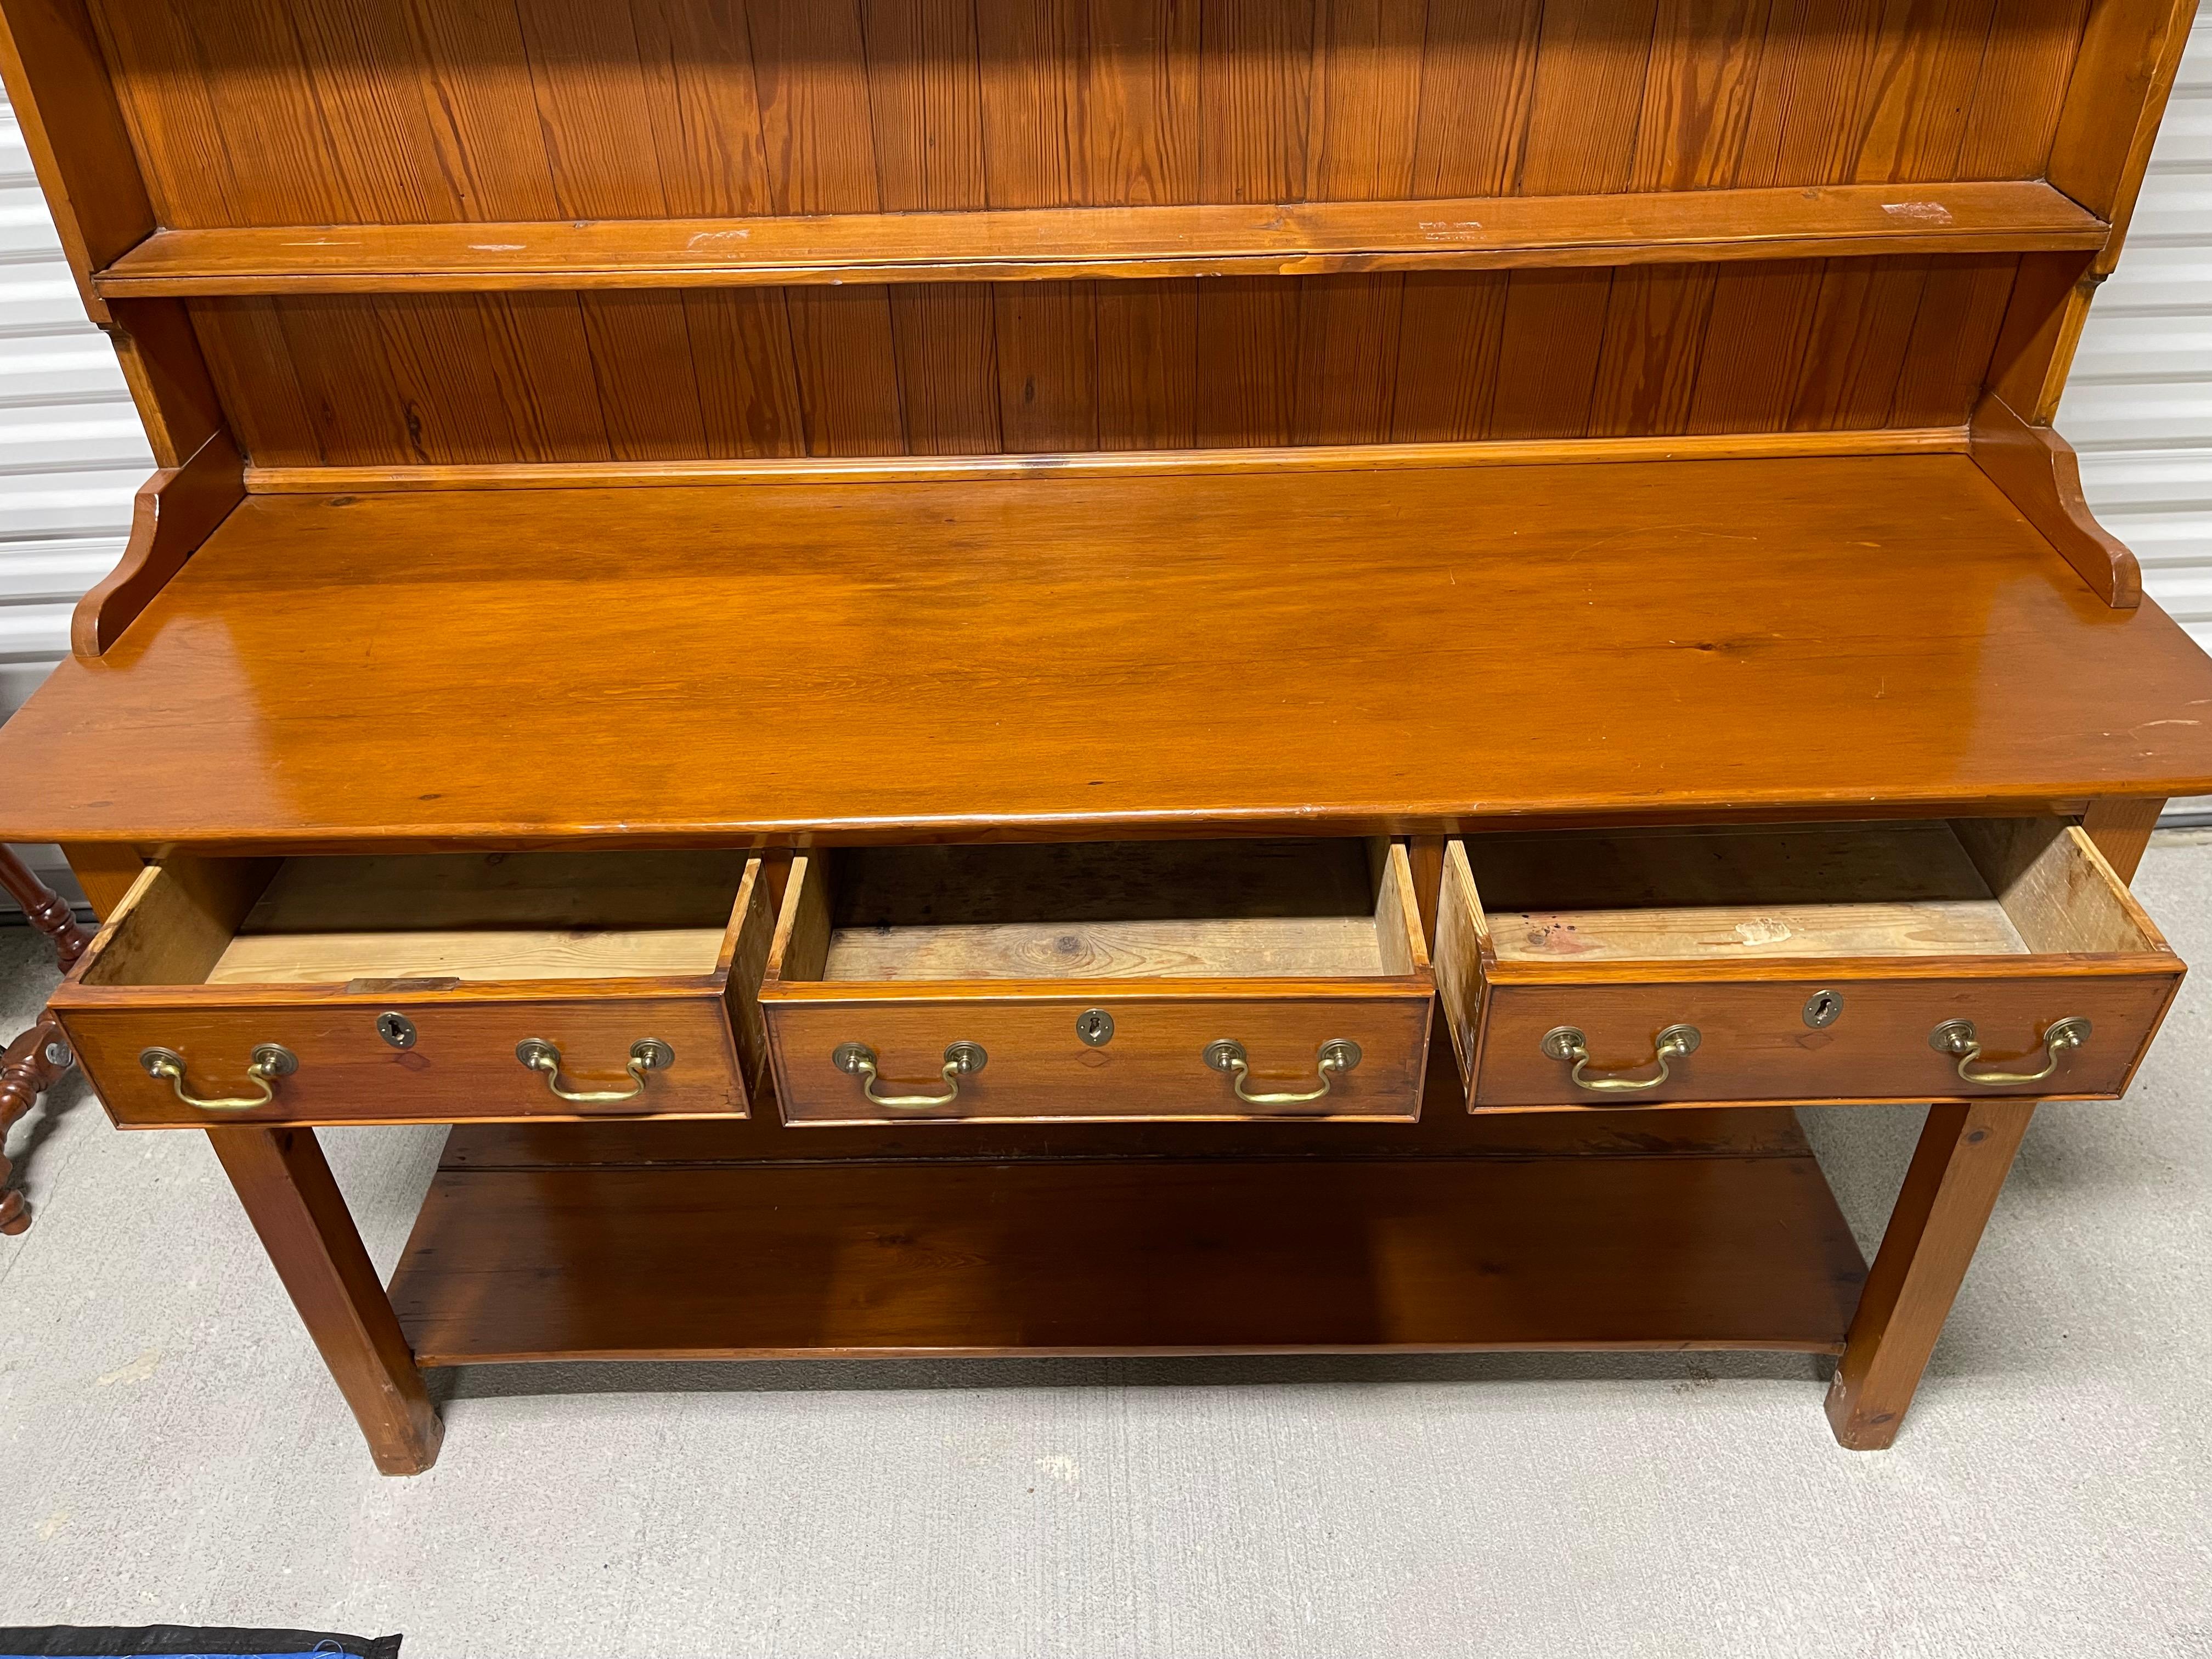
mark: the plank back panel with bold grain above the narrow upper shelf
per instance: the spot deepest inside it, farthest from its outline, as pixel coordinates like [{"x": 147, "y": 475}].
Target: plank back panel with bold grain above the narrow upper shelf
[{"x": 567, "y": 109}]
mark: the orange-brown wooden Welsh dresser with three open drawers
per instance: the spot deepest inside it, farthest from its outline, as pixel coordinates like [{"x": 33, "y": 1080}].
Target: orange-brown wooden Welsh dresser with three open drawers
[{"x": 1105, "y": 676}]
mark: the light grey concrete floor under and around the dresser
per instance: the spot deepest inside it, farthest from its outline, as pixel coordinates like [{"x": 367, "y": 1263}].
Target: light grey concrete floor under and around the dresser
[{"x": 176, "y": 1450}]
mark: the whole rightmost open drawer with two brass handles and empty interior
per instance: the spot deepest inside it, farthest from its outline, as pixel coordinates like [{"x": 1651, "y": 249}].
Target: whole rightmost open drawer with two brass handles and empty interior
[{"x": 1808, "y": 963}]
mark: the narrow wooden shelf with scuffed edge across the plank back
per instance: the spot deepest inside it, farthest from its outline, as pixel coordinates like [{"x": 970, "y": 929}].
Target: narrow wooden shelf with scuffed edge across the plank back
[{"x": 1258, "y": 240}]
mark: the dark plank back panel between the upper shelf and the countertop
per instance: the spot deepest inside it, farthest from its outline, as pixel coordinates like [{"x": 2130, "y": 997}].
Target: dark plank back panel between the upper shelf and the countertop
[{"x": 1105, "y": 366}]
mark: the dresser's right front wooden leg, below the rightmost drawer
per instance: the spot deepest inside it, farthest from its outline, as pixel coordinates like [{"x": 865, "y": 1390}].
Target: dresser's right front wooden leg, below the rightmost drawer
[{"x": 1950, "y": 1191}]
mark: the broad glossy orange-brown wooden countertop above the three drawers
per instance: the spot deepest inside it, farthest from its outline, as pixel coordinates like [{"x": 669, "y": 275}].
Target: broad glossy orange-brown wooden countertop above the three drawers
[{"x": 1112, "y": 656}]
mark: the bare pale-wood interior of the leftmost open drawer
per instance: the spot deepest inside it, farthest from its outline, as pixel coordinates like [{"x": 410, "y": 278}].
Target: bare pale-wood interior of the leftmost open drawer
[{"x": 426, "y": 919}]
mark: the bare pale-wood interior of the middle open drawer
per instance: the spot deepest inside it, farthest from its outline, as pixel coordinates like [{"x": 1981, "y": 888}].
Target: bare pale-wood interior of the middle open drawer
[{"x": 1123, "y": 910}]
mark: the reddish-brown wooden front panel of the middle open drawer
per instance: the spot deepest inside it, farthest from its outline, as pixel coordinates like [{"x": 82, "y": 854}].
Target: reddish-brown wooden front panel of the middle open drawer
[{"x": 1154, "y": 1067}]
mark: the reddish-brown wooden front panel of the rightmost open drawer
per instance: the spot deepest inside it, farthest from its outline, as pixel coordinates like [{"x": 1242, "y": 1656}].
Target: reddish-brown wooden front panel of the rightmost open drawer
[{"x": 1757, "y": 1047}]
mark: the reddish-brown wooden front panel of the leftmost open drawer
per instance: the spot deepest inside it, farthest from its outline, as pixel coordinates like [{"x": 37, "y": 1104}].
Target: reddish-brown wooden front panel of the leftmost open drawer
[{"x": 459, "y": 1067}]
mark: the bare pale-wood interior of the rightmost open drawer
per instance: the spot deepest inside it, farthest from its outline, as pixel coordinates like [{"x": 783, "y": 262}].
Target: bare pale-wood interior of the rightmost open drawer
[{"x": 1943, "y": 888}]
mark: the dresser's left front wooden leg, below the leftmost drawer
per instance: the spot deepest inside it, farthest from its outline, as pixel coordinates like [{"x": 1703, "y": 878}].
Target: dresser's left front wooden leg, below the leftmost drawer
[{"x": 304, "y": 1224}]
